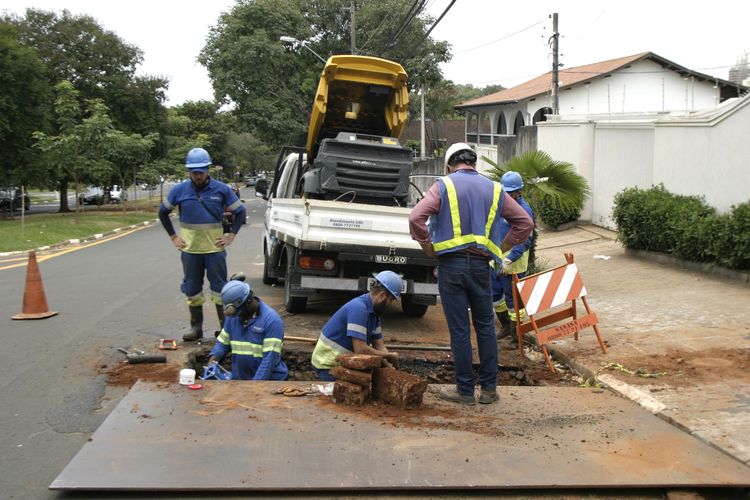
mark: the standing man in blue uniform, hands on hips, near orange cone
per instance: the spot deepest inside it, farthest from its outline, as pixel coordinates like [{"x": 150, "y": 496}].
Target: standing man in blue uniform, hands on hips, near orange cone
[{"x": 202, "y": 241}]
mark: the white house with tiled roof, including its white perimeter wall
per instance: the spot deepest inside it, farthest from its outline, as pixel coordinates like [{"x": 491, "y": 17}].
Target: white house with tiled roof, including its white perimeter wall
[{"x": 633, "y": 121}]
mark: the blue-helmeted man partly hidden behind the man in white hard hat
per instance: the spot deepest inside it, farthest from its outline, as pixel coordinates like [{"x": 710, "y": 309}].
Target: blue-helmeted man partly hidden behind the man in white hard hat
[{"x": 516, "y": 261}]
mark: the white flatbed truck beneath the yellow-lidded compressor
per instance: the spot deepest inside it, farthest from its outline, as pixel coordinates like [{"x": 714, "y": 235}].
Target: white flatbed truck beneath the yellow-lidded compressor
[{"x": 315, "y": 245}]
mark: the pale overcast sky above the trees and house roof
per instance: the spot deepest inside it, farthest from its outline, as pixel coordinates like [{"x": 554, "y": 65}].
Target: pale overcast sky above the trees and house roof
[{"x": 494, "y": 41}]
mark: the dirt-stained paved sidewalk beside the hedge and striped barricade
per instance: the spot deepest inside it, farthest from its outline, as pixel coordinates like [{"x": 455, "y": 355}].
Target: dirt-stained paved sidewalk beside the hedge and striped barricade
[{"x": 690, "y": 330}]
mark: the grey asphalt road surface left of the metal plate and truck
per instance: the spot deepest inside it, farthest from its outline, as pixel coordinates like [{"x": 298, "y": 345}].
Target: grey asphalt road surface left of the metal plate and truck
[{"x": 114, "y": 293}]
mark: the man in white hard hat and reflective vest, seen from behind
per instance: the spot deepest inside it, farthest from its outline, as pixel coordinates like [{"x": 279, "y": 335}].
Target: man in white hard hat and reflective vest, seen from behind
[{"x": 465, "y": 212}]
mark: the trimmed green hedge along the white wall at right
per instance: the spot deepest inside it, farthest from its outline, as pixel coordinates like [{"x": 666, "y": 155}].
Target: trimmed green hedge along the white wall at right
[{"x": 684, "y": 226}]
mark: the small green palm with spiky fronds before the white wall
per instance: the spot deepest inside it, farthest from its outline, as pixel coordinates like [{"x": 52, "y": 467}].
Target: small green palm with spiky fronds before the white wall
[{"x": 549, "y": 186}]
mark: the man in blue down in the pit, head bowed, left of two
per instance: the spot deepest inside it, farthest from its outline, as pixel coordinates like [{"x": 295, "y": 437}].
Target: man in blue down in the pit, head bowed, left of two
[{"x": 253, "y": 332}]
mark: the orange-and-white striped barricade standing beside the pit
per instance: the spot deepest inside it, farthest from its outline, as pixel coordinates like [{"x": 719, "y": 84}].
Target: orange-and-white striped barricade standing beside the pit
[{"x": 543, "y": 291}]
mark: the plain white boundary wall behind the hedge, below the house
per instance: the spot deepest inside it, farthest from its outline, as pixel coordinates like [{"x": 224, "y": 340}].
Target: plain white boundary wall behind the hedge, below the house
[{"x": 707, "y": 155}]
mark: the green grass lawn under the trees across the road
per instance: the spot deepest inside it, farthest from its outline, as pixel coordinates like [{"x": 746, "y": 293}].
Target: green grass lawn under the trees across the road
[{"x": 50, "y": 229}]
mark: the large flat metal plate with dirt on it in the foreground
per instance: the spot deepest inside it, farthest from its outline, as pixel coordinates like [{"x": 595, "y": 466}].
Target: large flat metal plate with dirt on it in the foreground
[{"x": 236, "y": 436}]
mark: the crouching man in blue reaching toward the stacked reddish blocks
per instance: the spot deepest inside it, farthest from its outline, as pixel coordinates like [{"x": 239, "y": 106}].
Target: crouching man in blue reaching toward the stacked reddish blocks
[{"x": 355, "y": 327}]
